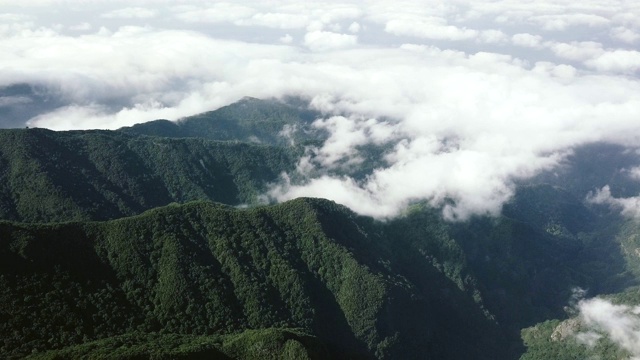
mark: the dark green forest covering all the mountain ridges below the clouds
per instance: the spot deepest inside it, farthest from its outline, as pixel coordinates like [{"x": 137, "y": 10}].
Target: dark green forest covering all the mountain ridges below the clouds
[{"x": 127, "y": 245}]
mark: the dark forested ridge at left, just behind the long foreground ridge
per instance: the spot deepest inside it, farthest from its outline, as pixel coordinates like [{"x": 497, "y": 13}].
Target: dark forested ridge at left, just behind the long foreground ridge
[{"x": 94, "y": 175}]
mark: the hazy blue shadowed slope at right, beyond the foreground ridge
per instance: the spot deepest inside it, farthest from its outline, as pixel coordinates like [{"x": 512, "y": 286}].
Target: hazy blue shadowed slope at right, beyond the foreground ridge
[{"x": 529, "y": 261}]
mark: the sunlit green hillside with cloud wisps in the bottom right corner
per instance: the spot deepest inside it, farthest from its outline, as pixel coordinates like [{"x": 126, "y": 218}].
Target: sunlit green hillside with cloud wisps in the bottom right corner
[{"x": 569, "y": 336}]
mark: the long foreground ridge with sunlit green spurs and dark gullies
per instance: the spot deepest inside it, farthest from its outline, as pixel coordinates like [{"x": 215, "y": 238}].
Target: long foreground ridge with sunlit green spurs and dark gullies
[{"x": 207, "y": 269}]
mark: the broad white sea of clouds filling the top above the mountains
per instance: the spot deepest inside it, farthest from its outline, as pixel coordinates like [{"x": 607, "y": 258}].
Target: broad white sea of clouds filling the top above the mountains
[{"x": 468, "y": 96}]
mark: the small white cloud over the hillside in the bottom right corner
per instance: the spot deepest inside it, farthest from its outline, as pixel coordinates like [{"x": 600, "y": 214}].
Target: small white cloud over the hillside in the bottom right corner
[{"x": 620, "y": 323}]
